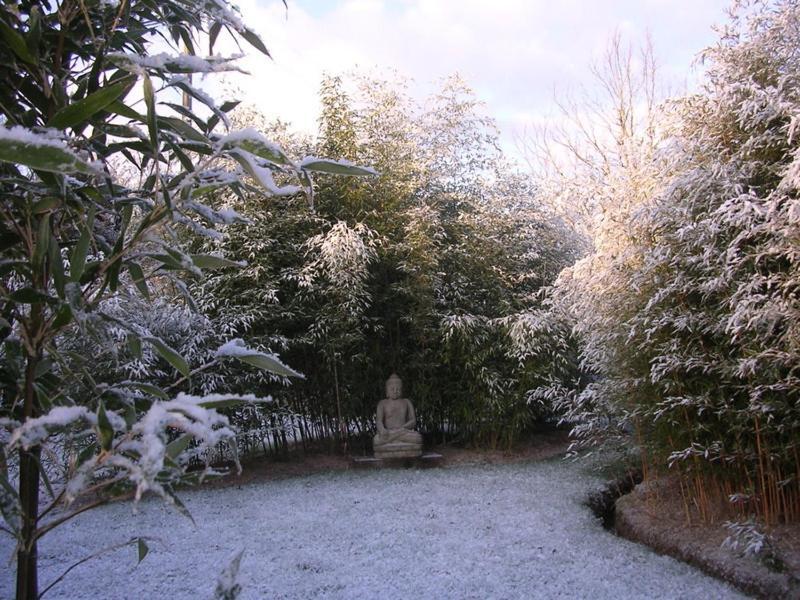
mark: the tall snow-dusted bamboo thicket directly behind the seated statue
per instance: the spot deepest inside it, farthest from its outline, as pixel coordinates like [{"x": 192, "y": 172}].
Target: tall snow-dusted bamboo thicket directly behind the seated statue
[{"x": 420, "y": 270}]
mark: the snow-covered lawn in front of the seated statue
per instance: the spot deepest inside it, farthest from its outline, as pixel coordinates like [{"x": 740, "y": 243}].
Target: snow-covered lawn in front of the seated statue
[{"x": 511, "y": 531}]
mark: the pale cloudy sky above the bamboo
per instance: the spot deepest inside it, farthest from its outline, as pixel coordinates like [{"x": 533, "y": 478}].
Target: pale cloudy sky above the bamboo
[{"x": 517, "y": 55}]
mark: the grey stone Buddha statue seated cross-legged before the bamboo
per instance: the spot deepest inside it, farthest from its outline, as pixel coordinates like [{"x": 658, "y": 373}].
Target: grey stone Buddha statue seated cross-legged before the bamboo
[{"x": 395, "y": 420}]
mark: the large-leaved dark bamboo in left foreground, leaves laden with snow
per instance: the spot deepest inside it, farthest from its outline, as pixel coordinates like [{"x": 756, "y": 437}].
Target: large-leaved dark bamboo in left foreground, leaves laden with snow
[{"x": 75, "y": 234}]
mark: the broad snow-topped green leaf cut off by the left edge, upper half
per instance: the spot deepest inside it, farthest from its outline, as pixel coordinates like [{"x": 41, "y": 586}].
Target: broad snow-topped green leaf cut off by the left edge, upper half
[{"x": 41, "y": 154}]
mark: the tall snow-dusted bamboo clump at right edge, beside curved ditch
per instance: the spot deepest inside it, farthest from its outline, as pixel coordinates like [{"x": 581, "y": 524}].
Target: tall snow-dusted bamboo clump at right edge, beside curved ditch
[{"x": 690, "y": 327}]
